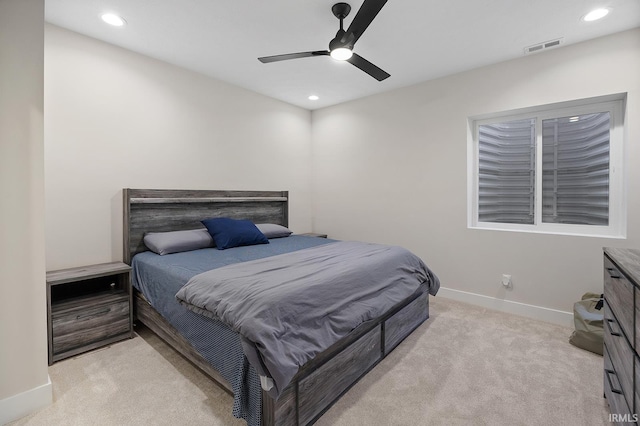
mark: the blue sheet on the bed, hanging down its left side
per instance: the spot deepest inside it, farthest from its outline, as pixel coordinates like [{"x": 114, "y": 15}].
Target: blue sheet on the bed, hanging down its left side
[{"x": 159, "y": 278}]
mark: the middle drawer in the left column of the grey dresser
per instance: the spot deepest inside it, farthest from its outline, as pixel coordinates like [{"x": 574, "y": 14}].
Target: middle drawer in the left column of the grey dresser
[{"x": 621, "y": 354}]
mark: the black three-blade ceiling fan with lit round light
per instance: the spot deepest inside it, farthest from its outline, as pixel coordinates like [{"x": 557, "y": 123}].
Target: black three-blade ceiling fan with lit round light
[{"x": 341, "y": 47}]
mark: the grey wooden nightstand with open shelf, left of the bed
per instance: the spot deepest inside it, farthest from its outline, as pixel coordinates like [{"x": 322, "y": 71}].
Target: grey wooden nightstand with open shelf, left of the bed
[{"x": 88, "y": 307}]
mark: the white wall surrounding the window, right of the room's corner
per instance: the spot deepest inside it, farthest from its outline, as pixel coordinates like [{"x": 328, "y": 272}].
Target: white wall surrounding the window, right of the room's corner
[{"x": 392, "y": 168}]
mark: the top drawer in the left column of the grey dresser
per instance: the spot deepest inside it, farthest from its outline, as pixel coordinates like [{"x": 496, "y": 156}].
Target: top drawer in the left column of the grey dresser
[{"x": 618, "y": 292}]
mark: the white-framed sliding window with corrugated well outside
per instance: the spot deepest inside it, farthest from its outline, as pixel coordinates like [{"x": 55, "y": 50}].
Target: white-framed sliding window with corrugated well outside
[{"x": 553, "y": 169}]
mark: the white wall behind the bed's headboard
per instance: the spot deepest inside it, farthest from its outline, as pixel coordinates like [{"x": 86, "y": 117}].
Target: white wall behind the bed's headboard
[{"x": 115, "y": 119}]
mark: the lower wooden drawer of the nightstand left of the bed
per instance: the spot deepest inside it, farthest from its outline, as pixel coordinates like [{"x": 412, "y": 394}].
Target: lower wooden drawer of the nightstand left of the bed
[{"x": 84, "y": 321}]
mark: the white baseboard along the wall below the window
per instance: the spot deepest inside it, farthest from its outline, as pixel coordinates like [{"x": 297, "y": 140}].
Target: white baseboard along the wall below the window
[{"x": 530, "y": 311}]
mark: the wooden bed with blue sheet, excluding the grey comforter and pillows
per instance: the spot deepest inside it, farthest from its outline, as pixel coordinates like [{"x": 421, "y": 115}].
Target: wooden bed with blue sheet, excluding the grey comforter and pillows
[{"x": 321, "y": 380}]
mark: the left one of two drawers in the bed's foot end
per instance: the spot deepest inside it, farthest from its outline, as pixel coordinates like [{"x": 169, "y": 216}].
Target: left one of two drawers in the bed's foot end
[{"x": 330, "y": 381}]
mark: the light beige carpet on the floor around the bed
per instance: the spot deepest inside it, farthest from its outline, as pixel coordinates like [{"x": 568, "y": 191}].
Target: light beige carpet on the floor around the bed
[{"x": 465, "y": 366}]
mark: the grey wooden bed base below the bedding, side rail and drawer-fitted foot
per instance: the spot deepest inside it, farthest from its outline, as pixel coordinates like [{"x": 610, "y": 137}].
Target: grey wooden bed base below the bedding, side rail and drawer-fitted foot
[{"x": 323, "y": 380}]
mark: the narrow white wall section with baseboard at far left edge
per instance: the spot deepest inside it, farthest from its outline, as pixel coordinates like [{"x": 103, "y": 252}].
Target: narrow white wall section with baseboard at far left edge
[{"x": 24, "y": 383}]
